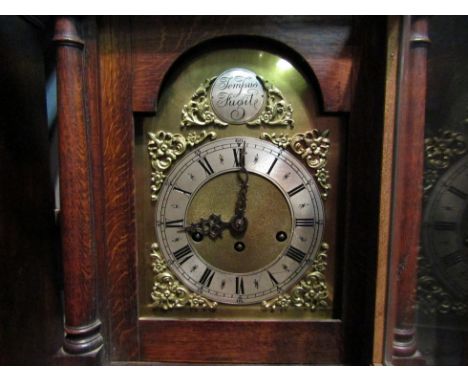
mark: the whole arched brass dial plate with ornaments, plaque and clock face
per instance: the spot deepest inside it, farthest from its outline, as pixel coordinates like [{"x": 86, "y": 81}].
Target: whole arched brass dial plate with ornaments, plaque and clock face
[{"x": 239, "y": 202}]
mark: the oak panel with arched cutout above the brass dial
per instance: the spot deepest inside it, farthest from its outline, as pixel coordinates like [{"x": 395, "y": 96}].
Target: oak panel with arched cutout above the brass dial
[{"x": 323, "y": 43}]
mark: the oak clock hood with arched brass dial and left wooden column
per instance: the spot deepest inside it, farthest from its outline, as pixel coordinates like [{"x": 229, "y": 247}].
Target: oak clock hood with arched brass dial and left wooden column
[{"x": 220, "y": 183}]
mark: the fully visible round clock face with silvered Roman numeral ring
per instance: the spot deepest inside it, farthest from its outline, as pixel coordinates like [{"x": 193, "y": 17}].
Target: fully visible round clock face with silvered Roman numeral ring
[{"x": 239, "y": 220}]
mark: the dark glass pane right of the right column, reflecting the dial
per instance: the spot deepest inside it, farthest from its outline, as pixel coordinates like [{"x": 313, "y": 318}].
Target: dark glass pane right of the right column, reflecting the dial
[{"x": 442, "y": 288}]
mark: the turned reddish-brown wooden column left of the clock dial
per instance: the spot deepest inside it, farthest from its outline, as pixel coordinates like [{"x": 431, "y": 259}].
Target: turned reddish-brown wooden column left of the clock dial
[{"x": 82, "y": 326}]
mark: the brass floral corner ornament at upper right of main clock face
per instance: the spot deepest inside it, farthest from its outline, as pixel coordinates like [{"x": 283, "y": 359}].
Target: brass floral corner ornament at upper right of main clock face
[{"x": 312, "y": 147}]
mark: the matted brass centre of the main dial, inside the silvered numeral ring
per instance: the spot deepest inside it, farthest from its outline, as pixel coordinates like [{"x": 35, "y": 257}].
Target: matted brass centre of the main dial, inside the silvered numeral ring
[{"x": 261, "y": 247}]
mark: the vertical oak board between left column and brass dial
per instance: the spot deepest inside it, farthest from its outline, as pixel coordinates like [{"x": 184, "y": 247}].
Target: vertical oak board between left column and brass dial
[{"x": 117, "y": 142}]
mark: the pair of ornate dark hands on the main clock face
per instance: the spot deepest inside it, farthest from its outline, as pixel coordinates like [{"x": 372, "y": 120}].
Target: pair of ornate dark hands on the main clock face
[{"x": 213, "y": 227}]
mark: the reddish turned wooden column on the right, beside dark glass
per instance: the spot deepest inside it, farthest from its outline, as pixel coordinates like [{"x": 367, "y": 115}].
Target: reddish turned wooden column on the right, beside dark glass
[{"x": 408, "y": 181}]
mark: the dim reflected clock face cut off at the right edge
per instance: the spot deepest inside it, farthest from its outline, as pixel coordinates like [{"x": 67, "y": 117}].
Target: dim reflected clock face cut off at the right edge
[{"x": 445, "y": 232}]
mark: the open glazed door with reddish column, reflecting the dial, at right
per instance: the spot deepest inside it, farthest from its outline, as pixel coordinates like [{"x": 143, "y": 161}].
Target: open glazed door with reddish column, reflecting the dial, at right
[{"x": 427, "y": 306}]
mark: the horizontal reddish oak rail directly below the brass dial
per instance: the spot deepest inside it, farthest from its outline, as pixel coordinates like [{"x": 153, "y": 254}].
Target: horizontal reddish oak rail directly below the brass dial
[{"x": 245, "y": 342}]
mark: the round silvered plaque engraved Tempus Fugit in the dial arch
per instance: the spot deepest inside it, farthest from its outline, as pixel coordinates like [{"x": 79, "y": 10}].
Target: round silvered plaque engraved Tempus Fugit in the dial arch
[{"x": 237, "y": 96}]
